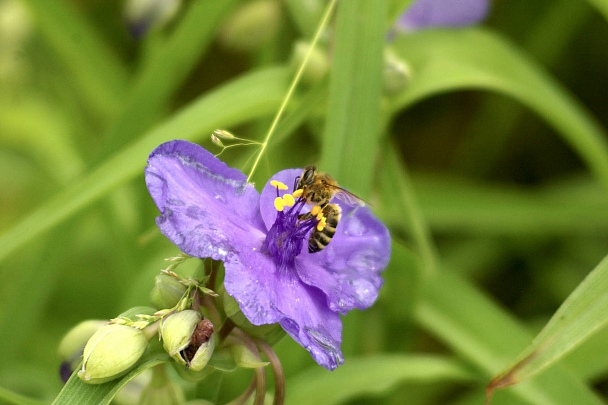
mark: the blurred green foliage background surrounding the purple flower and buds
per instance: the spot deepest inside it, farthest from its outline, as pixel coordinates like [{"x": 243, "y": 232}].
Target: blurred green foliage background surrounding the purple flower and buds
[{"x": 487, "y": 159}]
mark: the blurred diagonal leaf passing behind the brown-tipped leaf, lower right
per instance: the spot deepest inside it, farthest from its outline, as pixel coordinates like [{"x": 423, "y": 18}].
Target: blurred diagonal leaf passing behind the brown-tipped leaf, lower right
[{"x": 476, "y": 328}]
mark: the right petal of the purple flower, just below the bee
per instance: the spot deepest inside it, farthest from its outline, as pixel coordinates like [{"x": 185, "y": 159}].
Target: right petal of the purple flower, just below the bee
[{"x": 349, "y": 269}]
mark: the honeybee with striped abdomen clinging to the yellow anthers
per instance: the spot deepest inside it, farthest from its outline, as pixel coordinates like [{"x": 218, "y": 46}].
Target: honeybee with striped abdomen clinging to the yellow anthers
[{"x": 318, "y": 189}]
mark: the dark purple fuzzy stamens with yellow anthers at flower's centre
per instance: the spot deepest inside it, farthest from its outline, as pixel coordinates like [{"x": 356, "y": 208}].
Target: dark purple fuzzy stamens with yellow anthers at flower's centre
[{"x": 290, "y": 229}]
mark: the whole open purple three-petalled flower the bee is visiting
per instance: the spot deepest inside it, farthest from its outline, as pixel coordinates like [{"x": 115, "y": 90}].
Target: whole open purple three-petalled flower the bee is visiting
[{"x": 210, "y": 210}]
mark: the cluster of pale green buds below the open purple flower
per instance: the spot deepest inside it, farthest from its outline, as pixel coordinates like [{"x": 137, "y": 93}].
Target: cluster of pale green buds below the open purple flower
[{"x": 111, "y": 349}]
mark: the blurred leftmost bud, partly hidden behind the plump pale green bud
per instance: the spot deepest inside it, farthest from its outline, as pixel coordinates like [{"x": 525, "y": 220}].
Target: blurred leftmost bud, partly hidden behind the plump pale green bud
[{"x": 71, "y": 346}]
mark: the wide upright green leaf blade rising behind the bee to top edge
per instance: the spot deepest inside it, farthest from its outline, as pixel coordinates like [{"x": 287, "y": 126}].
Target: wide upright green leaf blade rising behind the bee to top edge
[{"x": 350, "y": 139}]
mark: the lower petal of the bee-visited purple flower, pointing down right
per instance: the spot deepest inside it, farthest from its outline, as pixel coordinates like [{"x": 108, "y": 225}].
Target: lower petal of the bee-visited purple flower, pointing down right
[{"x": 267, "y": 295}]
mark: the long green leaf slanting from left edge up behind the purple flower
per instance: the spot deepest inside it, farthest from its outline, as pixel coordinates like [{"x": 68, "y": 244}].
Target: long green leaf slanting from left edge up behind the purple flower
[{"x": 250, "y": 96}]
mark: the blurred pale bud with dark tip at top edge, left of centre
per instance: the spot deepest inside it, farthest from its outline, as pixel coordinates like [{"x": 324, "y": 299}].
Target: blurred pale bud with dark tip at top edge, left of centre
[{"x": 145, "y": 15}]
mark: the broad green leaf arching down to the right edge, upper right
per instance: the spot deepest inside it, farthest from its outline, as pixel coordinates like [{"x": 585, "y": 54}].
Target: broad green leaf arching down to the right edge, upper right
[{"x": 443, "y": 60}]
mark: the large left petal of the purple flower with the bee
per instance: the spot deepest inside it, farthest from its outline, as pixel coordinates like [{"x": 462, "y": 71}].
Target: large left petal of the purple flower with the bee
[{"x": 208, "y": 209}]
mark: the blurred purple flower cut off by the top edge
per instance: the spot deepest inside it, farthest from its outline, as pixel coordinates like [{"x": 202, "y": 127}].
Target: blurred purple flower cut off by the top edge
[{"x": 442, "y": 13}]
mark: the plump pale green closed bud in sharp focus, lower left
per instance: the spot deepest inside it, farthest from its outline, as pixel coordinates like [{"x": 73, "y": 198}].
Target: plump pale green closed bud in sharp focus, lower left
[{"x": 111, "y": 352}]
